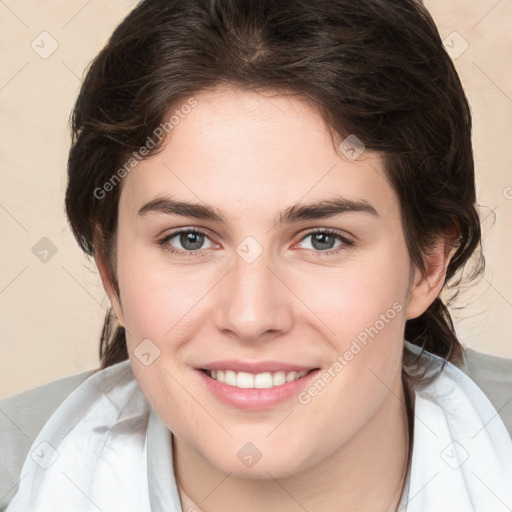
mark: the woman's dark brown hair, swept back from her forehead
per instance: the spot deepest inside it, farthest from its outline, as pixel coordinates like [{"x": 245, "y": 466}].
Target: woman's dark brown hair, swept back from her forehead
[{"x": 373, "y": 68}]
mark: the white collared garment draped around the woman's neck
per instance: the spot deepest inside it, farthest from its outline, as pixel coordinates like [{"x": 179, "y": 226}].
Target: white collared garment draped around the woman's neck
[{"x": 104, "y": 448}]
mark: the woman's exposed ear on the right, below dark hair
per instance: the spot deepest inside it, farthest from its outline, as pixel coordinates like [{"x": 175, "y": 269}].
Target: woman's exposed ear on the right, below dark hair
[{"x": 426, "y": 285}]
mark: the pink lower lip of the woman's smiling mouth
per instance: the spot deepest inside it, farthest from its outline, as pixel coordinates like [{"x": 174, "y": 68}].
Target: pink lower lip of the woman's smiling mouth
[{"x": 256, "y": 399}]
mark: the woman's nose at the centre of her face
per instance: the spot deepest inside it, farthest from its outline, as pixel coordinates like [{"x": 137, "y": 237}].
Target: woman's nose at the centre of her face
[{"x": 254, "y": 302}]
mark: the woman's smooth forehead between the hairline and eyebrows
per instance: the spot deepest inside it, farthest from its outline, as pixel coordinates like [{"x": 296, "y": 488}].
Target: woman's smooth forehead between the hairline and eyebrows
[{"x": 255, "y": 150}]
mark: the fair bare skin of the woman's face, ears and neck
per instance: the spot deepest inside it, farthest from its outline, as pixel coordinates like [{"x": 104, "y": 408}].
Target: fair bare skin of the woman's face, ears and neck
[{"x": 251, "y": 156}]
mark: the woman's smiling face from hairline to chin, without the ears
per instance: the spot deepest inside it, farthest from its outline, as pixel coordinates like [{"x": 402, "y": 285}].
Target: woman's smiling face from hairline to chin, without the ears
[{"x": 258, "y": 290}]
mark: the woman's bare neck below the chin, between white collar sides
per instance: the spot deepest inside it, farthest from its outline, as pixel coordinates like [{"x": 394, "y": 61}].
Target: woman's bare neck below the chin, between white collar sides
[{"x": 365, "y": 474}]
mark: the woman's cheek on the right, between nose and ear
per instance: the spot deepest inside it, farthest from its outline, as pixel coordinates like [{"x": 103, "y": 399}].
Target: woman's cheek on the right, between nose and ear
[{"x": 361, "y": 310}]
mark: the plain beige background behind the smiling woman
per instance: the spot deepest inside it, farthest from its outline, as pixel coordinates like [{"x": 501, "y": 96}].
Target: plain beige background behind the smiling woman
[{"x": 51, "y": 312}]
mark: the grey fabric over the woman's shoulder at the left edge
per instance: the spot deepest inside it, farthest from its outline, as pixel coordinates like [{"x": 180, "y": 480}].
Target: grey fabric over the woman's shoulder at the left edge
[{"x": 21, "y": 418}]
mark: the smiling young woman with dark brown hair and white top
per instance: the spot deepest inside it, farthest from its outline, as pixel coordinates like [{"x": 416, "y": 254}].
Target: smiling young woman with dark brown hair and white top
[{"x": 275, "y": 194}]
